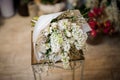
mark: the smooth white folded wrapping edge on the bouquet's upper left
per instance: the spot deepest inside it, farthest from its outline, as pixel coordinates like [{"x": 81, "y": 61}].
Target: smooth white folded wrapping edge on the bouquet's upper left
[{"x": 42, "y": 22}]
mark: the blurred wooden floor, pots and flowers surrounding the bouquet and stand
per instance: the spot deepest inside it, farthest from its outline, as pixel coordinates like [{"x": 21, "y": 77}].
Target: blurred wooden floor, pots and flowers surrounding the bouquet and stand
[{"x": 102, "y": 57}]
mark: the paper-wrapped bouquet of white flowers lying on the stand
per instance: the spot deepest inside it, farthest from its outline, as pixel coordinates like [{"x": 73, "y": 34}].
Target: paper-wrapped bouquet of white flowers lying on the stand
[{"x": 60, "y": 36}]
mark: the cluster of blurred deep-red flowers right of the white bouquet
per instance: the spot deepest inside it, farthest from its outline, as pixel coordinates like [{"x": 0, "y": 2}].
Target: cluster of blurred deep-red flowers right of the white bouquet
[{"x": 99, "y": 23}]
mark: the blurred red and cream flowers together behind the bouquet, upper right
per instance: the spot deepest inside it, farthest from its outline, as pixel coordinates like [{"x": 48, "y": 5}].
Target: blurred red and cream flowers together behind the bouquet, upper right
[{"x": 102, "y": 17}]
